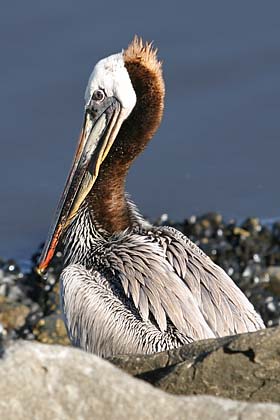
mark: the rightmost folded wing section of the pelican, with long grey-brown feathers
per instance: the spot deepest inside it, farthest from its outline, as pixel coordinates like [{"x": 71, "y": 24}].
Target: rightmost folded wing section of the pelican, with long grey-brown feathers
[{"x": 224, "y": 307}]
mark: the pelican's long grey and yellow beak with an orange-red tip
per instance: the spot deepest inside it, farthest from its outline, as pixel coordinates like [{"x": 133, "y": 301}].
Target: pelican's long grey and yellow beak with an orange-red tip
[{"x": 100, "y": 128}]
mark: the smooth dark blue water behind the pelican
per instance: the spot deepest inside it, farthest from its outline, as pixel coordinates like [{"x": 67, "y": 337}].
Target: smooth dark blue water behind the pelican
[{"x": 219, "y": 145}]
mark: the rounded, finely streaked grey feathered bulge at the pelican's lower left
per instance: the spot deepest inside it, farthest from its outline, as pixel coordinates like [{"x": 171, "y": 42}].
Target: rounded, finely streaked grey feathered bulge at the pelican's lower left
[{"x": 98, "y": 320}]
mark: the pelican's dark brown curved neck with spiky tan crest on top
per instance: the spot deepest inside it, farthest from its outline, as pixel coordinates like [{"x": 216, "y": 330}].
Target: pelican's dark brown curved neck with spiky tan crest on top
[{"x": 107, "y": 198}]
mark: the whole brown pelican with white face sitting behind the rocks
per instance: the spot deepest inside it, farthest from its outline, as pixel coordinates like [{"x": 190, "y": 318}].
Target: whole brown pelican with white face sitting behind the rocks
[{"x": 128, "y": 286}]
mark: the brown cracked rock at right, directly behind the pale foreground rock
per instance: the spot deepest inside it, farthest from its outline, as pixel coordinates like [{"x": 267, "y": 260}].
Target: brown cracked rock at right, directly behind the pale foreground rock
[{"x": 243, "y": 367}]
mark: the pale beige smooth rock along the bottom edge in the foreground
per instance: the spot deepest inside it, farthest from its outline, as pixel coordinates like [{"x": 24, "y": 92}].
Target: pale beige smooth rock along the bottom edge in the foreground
[{"x": 52, "y": 382}]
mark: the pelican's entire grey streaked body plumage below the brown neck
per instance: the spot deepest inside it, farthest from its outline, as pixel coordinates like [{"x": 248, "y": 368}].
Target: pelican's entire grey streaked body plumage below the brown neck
[{"x": 144, "y": 290}]
